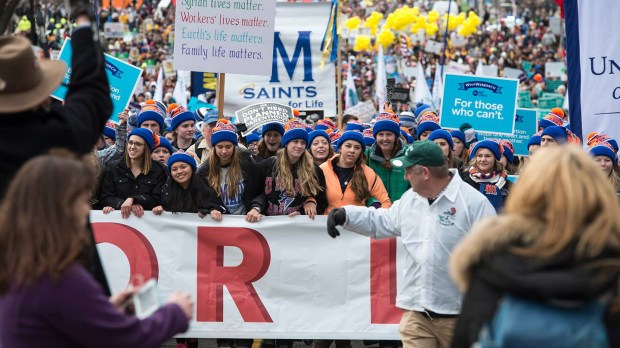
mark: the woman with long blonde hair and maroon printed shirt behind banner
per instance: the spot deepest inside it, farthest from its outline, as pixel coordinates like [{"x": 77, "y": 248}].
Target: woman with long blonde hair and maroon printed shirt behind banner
[{"x": 289, "y": 183}]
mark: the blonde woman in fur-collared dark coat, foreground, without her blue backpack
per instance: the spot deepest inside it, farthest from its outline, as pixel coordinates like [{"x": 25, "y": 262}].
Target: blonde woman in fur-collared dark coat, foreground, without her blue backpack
[{"x": 557, "y": 240}]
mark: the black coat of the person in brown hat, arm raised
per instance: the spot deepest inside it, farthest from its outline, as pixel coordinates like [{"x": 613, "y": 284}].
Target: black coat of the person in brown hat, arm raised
[{"x": 75, "y": 126}]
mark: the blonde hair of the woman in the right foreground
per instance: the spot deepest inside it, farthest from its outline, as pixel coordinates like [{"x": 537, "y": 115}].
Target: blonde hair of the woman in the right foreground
[{"x": 563, "y": 189}]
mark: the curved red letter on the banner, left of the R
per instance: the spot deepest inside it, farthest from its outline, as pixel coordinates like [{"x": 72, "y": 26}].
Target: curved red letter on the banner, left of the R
[{"x": 139, "y": 251}]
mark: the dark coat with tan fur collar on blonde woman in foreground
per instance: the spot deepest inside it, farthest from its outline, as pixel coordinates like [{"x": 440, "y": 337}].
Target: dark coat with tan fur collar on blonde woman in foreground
[{"x": 484, "y": 266}]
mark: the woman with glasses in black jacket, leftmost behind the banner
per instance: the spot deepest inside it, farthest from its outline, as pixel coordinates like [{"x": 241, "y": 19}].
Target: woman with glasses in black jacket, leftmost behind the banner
[{"x": 134, "y": 183}]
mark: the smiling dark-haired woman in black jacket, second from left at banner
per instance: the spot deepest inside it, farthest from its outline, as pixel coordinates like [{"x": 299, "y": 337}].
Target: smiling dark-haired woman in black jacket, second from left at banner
[{"x": 185, "y": 192}]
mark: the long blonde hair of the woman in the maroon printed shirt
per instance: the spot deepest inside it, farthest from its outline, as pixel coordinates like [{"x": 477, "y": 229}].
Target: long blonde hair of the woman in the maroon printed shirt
[{"x": 306, "y": 174}]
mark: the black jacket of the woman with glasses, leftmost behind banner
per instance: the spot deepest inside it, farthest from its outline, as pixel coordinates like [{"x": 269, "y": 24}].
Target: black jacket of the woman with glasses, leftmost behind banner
[{"x": 118, "y": 184}]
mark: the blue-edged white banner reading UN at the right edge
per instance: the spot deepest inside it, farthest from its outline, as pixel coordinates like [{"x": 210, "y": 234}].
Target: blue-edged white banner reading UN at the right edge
[{"x": 593, "y": 64}]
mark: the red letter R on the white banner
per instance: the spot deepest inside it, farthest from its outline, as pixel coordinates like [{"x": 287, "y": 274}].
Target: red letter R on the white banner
[{"x": 213, "y": 275}]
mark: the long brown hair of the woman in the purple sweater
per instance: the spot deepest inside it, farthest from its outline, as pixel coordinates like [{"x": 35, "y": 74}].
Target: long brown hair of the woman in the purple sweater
[{"x": 39, "y": 231}]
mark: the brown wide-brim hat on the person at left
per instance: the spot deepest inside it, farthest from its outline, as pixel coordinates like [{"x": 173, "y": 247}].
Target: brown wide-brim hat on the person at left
[{"x": 25, "y": 82}]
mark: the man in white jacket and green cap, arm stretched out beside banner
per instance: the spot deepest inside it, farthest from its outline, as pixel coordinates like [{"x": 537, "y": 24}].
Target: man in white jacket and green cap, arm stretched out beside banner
[{"x": 431, "y": 218}]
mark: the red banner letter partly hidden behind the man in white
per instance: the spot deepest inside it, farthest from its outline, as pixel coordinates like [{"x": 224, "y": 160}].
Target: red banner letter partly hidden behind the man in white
[{"x": 383, "y": 289}]
